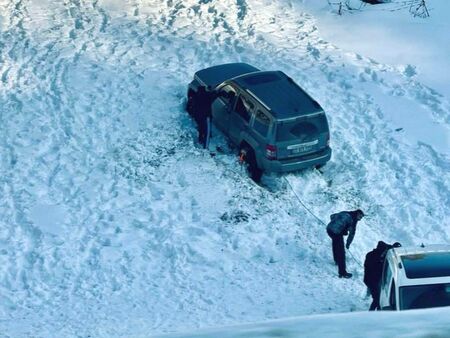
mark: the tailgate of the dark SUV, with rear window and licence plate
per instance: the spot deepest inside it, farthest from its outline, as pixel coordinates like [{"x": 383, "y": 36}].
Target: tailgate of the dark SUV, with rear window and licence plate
[{"x": 302, "y": 135}]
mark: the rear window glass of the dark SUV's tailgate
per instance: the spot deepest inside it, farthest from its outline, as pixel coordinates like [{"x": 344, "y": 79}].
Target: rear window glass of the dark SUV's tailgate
[{"x": 305, "y": 129}]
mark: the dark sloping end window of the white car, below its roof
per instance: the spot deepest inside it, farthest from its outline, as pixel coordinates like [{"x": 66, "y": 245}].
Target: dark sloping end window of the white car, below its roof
[{"x": 424, "y": 296}]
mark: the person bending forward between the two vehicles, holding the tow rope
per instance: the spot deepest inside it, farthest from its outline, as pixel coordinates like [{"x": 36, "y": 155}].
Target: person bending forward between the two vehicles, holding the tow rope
[{"x": 343, "y": 224}]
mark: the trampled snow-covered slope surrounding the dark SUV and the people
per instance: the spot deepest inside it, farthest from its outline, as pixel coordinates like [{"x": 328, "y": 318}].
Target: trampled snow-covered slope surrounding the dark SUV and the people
[{"x": 113, "y": 223}]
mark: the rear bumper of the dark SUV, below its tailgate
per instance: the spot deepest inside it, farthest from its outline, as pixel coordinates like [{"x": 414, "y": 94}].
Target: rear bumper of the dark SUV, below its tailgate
[{"x": 297, "y": 163}]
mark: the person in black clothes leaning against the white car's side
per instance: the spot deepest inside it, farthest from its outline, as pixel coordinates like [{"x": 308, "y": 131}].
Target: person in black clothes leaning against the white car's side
[{"x": 373, "y": 267}]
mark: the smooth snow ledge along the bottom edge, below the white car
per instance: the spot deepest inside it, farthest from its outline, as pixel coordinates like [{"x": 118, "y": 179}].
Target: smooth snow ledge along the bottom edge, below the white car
[{"x": 411, "y": 324}]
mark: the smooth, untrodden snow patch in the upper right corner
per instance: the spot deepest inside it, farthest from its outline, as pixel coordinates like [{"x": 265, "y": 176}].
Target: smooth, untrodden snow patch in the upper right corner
[{"x": 389, "y": 33}]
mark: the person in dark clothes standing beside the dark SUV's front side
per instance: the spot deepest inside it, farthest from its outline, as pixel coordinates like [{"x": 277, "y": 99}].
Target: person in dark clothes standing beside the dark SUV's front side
[{"x": 202, "y": 114}]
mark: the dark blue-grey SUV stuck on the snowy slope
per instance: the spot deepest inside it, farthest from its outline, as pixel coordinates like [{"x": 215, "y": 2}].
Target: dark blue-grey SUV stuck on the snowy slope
[{"x": 276, "y": 125}]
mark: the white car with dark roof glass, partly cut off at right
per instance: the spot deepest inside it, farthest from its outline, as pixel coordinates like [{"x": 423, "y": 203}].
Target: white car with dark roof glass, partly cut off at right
[{"x": 416, "y": 278}]
